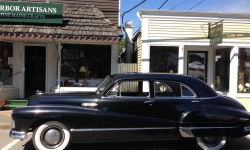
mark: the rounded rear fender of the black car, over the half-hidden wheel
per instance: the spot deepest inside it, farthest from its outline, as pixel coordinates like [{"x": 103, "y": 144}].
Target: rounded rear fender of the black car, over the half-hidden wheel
[{"x": 215, "y": 121}]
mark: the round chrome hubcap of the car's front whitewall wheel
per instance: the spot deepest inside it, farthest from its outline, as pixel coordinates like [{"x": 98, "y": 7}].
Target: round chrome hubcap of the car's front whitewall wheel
[{"x": 52, "y": 137}]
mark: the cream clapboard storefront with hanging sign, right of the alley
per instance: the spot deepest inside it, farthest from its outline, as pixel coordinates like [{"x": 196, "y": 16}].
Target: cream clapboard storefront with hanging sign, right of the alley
[{"x": 184, "y": 42}]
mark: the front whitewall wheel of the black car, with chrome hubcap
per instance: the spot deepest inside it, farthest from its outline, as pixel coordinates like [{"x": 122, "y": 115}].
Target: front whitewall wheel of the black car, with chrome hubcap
[{"x": 52, "y": 135}]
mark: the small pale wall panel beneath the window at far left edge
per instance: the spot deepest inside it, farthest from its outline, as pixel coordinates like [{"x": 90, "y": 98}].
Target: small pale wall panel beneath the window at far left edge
[{"x": 9, "y": 93}]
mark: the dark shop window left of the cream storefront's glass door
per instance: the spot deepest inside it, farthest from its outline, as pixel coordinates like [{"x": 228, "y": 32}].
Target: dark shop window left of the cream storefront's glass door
[{"x": 164, "y": 59}]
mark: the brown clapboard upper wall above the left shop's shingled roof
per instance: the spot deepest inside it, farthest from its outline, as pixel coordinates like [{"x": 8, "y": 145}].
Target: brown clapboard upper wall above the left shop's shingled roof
[{"x": 109, "y": 7}]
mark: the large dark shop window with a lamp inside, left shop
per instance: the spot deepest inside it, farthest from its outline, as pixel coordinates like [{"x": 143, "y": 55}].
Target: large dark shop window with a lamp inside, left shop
[{"x": 82, "y": 63}]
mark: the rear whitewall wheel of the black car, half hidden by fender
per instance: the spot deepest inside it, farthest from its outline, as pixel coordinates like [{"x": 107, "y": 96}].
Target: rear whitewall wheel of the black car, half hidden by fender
[{"x": 211, "y": 143}]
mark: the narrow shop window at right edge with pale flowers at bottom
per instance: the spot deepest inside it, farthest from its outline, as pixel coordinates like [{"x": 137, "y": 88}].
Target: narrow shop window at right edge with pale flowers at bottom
[{"x": 244, "y": 71}]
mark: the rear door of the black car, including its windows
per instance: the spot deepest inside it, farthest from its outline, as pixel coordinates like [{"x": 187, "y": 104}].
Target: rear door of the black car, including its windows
[{"x": 171, "y": 100}]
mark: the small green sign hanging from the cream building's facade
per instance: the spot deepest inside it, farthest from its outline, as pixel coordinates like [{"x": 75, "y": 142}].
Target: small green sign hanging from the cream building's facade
[{"x": 216, "y": 34}]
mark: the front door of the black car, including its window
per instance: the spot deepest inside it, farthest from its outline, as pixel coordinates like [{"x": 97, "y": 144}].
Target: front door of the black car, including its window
[{"x": 125, "y": 113}]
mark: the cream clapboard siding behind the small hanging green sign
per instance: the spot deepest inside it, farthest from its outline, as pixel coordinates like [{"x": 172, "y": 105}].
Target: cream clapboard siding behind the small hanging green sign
[{"x": 185, "y": 29}]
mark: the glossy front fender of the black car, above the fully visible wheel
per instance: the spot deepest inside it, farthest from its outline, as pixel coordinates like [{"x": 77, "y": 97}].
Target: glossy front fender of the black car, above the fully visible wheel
[{"x": 33, "y": 116}]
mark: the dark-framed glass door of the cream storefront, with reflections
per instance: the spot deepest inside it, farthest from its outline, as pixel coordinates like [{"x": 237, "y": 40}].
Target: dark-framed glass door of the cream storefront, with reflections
[{"x": 197, "y": 65}]
